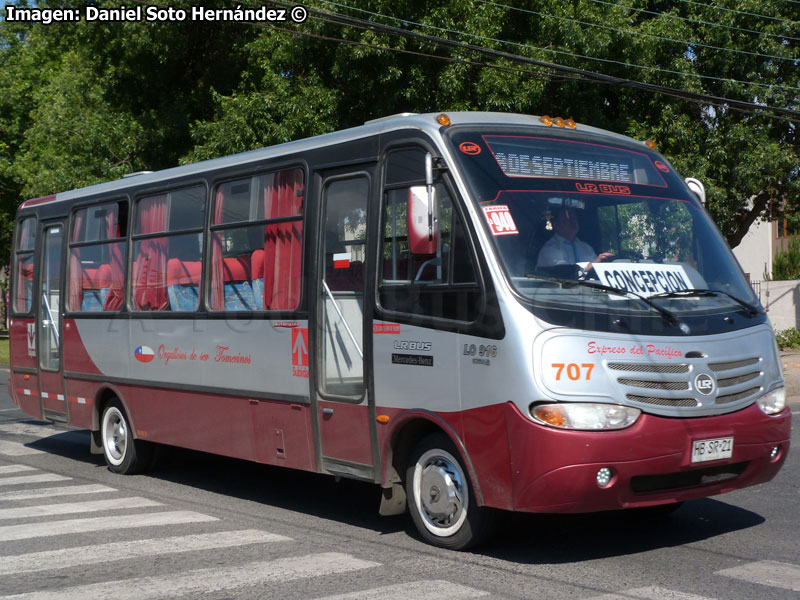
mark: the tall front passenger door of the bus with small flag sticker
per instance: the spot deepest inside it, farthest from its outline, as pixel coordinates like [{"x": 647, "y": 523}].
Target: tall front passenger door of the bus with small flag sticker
[{"x": 344, "y": 411}]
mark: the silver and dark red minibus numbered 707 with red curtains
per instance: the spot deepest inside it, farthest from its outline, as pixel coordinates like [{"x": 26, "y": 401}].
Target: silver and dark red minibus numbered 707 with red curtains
[{"x": 479, "y": 312}]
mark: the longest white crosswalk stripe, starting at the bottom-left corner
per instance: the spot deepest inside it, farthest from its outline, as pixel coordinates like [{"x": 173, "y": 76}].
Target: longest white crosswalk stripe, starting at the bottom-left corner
[{"x": 208, "y": 581}]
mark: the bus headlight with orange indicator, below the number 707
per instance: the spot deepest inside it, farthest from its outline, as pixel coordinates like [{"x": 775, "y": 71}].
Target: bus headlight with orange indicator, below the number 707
[{"x": 585, "y": 415}]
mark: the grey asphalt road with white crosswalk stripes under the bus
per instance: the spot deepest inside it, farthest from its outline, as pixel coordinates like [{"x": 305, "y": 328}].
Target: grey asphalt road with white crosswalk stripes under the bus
[{"x": 205, "y": 526}]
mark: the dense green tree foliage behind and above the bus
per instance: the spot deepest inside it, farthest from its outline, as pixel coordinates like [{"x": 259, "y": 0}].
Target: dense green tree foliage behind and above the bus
[{"x": 83, "y": 102}]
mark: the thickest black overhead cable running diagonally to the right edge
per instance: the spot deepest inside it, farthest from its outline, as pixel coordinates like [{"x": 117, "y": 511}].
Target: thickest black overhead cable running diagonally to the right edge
[{"x": 594, "y": 76}]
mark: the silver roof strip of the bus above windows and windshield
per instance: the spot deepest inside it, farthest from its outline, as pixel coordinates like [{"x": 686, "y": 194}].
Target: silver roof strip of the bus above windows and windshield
[{"x": 425, "y": 122}]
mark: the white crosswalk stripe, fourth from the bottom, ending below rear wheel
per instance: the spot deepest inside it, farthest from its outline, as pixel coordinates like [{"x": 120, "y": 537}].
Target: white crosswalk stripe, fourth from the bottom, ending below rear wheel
[{"x": 49, "y": 528}]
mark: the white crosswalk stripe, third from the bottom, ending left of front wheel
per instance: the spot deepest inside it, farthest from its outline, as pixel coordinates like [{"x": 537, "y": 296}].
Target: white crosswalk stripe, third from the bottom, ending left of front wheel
[{"x": 89, "y": 555}]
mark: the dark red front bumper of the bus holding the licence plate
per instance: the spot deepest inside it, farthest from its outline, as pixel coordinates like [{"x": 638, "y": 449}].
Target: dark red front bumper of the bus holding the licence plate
[{"x": 556, "y": 471}]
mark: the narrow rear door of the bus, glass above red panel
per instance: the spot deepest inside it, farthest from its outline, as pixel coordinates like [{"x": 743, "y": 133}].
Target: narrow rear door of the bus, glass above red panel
[{"x": 49, "y": 322}]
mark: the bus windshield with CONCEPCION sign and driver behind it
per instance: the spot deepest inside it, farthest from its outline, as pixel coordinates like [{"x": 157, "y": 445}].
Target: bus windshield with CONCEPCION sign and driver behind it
[{"x": 584, "y": 208}]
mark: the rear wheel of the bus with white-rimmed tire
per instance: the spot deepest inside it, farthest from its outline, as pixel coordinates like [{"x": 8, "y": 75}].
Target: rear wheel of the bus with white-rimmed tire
[{"x": 123, "y": 453}]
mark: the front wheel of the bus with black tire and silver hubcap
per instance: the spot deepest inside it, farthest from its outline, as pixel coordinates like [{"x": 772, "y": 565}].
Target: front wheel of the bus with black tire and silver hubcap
[{"x": 440, "y": 497}]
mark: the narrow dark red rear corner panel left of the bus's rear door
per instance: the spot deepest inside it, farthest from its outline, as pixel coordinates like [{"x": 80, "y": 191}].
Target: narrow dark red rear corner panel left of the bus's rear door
[{"x": 25, "y": 386}]
